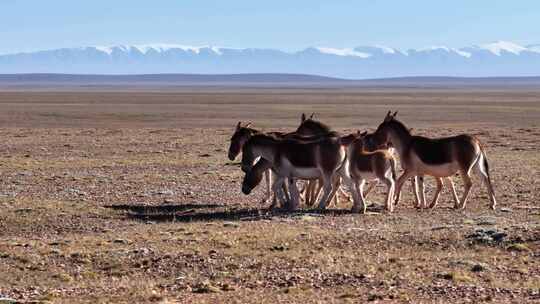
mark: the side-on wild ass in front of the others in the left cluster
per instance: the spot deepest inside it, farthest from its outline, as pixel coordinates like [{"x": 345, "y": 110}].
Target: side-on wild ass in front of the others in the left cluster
[{"x": 316, "y": 158}]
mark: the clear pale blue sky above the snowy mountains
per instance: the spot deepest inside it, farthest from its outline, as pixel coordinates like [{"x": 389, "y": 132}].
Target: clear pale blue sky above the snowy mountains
[{"x": 27, "y": 25}]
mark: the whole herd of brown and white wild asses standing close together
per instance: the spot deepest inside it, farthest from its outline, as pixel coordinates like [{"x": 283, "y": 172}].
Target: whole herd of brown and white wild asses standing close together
[{"x": 326, "y": 159}]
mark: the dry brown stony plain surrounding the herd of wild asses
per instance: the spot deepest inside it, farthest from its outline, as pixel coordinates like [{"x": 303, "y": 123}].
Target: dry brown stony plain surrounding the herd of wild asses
[{"x": 121, "y": 195}]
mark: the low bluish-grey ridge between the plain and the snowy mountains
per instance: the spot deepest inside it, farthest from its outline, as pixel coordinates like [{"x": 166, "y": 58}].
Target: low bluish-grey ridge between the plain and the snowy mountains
[{"x": 250, "y": 80}]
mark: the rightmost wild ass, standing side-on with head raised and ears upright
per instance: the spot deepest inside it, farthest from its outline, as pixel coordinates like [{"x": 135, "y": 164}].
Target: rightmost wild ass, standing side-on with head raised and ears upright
[{"x": 438, "y": 157}]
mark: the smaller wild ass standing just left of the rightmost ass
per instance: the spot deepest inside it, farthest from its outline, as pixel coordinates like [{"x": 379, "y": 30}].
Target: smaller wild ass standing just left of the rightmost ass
[{"x": 375, "y": 165}]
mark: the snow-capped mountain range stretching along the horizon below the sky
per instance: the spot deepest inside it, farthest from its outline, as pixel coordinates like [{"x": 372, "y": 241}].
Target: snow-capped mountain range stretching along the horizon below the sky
[{"x": 493, "y": 59}]
